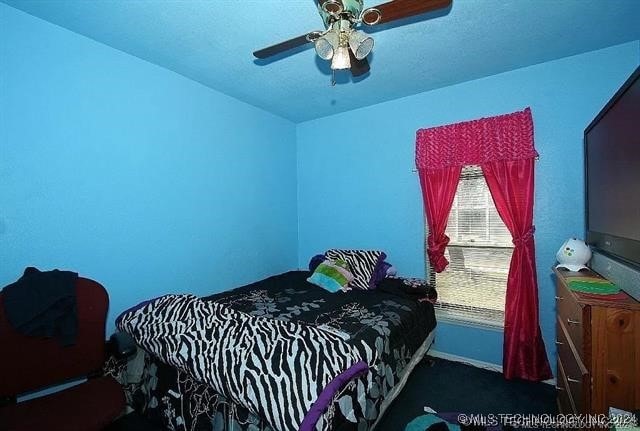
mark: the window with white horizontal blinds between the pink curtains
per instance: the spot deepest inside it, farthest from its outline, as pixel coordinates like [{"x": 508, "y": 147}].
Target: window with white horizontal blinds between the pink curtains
[{"x": 473, "y": 286}]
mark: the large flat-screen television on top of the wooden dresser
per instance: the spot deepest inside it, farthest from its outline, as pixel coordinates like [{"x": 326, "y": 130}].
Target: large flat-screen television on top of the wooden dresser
[{"x": 612, "y": 175}]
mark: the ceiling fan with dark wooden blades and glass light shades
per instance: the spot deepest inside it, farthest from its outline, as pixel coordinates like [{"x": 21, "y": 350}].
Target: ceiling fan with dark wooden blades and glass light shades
[{"x": 342, "y": 42}]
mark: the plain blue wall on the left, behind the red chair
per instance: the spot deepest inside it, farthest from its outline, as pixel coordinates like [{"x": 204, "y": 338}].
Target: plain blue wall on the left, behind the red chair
[{"x": 133, "y": 175}]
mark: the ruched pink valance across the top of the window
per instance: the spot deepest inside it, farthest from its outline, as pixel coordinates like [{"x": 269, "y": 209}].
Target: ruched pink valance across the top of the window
[{"x": 503, "y": 137}]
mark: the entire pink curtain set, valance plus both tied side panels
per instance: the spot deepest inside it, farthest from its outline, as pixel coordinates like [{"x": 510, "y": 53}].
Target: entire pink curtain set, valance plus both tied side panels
[{"x": 503, "y": 146}]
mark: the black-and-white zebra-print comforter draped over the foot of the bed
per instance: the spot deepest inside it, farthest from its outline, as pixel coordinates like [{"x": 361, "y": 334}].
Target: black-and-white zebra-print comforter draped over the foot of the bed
[{"x": 274, "y": 368}]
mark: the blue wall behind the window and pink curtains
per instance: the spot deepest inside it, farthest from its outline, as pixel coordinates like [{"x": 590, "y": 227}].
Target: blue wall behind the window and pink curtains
[{"x": 356, "y": 187}]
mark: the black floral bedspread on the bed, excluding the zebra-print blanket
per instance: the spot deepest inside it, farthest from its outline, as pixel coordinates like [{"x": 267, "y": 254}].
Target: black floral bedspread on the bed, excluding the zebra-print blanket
[{"x": 395, "y": 324}]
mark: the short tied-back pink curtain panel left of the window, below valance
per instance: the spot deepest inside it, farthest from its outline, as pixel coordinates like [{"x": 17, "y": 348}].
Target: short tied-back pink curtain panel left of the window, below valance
[{"x": 439, "y": 189}]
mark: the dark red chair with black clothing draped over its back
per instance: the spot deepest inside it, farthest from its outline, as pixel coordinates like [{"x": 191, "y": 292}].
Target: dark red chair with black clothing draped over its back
[{"x": 31, "y": 363}]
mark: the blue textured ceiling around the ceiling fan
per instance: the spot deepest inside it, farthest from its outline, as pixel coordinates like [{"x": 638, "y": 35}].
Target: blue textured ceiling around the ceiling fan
[{"x": 212, "y": 41}]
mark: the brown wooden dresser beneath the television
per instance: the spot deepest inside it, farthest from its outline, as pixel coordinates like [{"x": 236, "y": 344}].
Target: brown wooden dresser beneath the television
[{"x": 598, "y": 345}]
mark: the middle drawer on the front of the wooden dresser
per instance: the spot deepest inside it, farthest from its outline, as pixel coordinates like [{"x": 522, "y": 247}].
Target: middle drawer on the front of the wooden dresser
[{"x": 577, "y": 378}]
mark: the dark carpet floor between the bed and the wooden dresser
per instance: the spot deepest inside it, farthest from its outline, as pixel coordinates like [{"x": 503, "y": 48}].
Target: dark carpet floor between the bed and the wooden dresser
[{"x": 447, "y": 386}]
